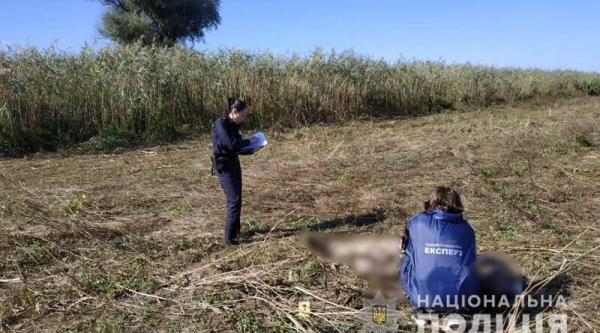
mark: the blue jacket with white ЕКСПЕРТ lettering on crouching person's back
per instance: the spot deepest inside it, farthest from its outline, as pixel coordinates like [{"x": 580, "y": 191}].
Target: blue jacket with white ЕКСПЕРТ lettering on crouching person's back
[{"x": 439, "y": 250}]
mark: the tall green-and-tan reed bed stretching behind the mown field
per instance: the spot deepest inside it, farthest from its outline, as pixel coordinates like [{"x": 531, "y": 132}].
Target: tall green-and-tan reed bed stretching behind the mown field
[{"x": 125, "y": 94}]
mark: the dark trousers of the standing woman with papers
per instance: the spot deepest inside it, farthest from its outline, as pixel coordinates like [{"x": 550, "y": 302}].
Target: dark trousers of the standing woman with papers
[{"x": 231, "y": 182}]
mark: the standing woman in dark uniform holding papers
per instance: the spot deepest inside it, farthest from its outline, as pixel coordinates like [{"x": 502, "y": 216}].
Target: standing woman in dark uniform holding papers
[{"x": 227, "y": 144}]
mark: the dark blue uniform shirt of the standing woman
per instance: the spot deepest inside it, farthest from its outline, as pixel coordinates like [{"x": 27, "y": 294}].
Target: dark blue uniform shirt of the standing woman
[{"x": 227, "y": 139}]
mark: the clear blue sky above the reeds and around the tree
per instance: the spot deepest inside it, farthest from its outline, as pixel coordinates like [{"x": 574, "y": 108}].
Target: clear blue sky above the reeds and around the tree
[{"x": 526, "y": 33}]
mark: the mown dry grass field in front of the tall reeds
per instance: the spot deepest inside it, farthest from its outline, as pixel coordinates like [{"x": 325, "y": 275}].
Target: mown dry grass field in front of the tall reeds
[{"x": 131, "y": 241}]
